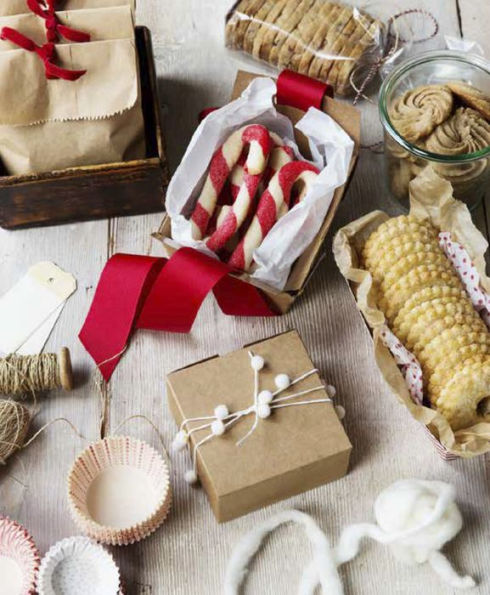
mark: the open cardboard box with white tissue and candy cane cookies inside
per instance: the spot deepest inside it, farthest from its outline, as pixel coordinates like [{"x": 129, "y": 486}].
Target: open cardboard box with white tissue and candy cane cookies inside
[{"x": 268, "y": 224}]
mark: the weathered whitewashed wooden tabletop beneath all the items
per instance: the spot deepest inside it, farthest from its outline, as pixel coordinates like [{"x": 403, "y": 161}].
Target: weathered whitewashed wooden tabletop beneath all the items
[{"x": 188, "y": 554}]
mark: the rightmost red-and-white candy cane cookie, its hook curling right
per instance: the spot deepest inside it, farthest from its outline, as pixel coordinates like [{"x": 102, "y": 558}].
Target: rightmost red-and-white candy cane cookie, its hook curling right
[{"x": 273, "y": 204}]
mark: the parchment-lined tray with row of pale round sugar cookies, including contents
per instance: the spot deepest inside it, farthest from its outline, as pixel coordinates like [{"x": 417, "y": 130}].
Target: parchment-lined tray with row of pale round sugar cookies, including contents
[{"x": 419, "y": 281}]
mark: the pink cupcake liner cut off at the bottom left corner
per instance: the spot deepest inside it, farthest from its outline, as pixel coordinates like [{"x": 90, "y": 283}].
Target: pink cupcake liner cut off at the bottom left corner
[{"x": 19, "y": 559}]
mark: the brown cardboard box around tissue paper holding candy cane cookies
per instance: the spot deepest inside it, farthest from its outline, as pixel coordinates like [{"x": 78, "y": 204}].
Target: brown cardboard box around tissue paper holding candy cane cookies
[{"x": 349, "y": 118}]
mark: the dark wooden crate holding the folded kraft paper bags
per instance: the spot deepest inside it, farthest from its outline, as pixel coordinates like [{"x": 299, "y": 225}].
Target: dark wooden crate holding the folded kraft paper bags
[{"x": 99, "y": 191}]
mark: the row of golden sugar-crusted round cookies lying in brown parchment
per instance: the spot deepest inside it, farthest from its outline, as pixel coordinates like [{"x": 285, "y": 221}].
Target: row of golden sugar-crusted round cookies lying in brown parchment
[{"x": 427, "y": 308}]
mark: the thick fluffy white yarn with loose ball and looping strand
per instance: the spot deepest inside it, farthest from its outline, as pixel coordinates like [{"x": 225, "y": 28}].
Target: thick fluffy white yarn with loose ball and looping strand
[{"x": 398, "y": 510}]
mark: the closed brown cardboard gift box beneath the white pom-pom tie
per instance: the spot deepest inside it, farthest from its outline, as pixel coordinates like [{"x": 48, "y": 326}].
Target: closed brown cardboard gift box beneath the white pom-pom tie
[{"x": 293, "y": 450}]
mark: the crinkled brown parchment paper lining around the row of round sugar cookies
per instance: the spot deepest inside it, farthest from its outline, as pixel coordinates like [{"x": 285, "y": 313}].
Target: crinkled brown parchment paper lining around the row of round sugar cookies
[{"x": 430, "y": 199}]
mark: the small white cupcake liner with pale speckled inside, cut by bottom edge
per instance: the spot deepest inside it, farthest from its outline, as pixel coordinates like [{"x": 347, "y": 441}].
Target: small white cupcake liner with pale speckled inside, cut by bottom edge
[{"x": 77, "y": 565}]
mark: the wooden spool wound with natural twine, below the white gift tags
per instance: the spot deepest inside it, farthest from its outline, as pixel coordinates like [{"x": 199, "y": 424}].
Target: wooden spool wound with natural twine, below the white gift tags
[{"x": 21, "y": 374}]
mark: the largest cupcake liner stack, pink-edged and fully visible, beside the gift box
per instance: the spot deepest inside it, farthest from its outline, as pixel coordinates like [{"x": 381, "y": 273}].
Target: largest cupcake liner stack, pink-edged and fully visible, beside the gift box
[{"x": 119, "y": 476}]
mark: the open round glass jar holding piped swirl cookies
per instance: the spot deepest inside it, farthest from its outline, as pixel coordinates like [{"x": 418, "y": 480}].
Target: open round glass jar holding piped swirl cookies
[{"x": 469, "y": 173}]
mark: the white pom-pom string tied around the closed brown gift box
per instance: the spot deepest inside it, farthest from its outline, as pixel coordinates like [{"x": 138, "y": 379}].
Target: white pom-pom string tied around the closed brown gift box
[{"x": 264, "y": 402}]
